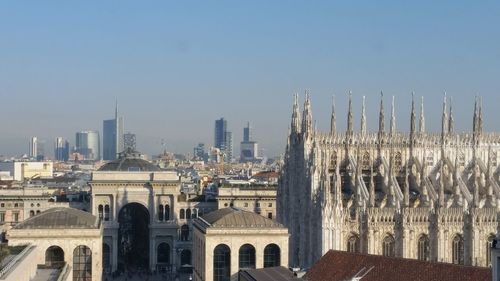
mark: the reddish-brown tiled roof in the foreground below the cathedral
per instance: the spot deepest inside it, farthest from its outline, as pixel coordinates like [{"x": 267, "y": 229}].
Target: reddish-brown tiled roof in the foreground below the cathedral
[{"x": 340, "y": 266}]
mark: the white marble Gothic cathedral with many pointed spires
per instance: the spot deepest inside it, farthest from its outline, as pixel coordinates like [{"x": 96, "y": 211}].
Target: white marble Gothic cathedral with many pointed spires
[{"x": 417, "y": 194}]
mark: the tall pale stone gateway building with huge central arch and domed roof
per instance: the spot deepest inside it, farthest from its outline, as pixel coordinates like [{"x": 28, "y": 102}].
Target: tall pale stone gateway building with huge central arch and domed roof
[{"x": 146, "y": 218}]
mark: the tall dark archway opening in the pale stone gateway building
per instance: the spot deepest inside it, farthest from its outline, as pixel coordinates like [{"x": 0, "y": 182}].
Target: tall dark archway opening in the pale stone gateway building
[{"x": 133, "y": 237}]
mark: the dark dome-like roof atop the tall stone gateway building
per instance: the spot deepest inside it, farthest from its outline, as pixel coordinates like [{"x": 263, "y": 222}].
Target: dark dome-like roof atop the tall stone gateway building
[{"x": 129, "y": 161}]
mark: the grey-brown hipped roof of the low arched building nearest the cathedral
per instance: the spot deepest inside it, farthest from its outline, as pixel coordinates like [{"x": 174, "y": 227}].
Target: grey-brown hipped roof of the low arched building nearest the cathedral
[{"x": 235, "y": 218}]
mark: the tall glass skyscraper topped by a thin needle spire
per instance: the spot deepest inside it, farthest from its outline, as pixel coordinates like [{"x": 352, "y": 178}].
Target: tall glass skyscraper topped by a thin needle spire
[{"x": 112, "y": 138}]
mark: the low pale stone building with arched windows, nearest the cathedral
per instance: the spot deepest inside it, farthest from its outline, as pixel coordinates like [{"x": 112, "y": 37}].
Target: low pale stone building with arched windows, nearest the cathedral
[{"x": 231, "y": 239}]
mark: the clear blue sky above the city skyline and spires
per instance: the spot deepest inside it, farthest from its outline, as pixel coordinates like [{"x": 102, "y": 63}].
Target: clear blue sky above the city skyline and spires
[{"x": 177, "y": 66}]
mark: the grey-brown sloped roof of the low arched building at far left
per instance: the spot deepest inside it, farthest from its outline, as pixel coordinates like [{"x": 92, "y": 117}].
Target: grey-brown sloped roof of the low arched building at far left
[{"x": 60, "y": 218}]
